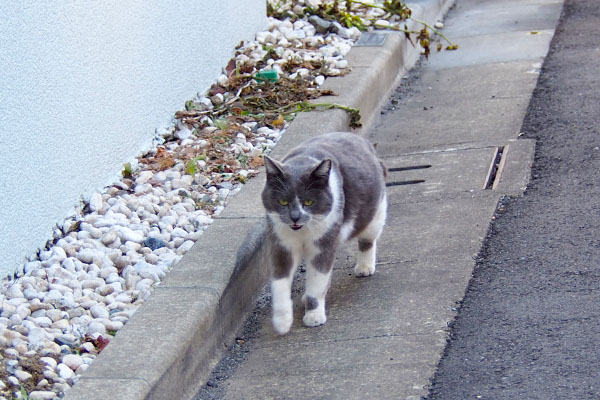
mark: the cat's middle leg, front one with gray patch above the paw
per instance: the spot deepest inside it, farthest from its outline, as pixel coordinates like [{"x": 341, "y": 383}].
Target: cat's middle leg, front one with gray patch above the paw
[{"x": 318, "y": 276}]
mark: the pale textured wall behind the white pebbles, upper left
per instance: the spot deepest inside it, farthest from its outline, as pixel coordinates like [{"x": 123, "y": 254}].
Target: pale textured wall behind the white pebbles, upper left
[{"x": 84, "y": 85}]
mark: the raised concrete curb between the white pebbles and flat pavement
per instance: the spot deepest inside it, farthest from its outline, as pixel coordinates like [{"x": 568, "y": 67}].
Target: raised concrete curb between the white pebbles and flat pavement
[{"x": 175, "y": 339}]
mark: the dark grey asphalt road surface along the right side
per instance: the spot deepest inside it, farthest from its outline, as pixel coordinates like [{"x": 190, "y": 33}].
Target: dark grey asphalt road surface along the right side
[{"x": 529, "y": 326}]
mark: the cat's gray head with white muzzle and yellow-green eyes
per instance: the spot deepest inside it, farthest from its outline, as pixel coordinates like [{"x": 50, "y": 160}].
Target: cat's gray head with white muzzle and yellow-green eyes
[{"x": 297, "y": 191}]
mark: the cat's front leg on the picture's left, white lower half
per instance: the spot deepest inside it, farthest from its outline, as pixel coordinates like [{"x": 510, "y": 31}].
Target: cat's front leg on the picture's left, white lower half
[{"x": 284, "y": 266}]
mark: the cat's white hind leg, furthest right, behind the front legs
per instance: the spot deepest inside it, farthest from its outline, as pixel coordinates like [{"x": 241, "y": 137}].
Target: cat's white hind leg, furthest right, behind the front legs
[{"x": 367, "y": 242}]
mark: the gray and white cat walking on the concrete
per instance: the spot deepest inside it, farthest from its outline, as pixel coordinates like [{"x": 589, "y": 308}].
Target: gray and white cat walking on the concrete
[{"x": 328, "y": 190}]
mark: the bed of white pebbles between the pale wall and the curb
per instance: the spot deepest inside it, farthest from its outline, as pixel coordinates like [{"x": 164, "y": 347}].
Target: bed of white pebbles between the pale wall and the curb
[{"x": 71, "y": 298}]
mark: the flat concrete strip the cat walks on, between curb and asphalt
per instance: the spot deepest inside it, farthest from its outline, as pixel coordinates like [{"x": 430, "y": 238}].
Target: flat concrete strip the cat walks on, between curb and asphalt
[{"x": 451, "y": 144}]
